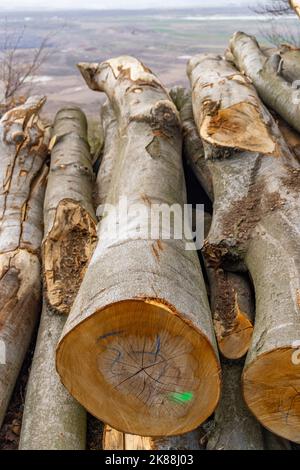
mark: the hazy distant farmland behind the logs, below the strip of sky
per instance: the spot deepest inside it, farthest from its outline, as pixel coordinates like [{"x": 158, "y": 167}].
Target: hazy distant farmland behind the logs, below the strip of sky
[{"x": 164, "y": 40}]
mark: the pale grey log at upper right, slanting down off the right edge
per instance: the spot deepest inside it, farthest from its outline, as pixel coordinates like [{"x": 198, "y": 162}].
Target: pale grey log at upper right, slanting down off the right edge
[{"x": 273, "y": 89}]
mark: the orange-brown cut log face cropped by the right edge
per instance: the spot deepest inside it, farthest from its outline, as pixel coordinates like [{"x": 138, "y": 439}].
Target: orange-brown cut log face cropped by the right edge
[{"x": 272, "y": 392}]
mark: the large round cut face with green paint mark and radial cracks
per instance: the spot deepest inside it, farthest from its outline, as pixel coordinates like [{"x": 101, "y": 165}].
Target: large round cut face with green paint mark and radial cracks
[{"x": 144, "y": 355}]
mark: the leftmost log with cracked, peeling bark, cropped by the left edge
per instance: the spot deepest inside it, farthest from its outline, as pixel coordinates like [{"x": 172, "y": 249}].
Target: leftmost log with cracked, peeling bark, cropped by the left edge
[{"x": 23, "y": 173}]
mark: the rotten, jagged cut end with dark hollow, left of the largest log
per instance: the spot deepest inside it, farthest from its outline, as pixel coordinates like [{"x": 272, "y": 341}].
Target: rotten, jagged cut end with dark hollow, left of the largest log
[{"x": 66, "y": 252}]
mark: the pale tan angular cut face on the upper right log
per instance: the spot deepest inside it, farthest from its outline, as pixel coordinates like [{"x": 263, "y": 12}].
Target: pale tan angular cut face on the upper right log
[{"x": 239, "y": 126}]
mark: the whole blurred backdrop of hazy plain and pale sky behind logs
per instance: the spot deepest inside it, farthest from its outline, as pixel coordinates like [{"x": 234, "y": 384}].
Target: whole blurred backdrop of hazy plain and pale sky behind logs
[{"x": 41, "y": 41}]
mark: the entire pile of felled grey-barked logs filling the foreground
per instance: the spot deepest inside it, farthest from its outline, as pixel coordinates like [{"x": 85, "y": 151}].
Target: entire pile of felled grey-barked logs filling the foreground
[{"x": 172, "y": 349}]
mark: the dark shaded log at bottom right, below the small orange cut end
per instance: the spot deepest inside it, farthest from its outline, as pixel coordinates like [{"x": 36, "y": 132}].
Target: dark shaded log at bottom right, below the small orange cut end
[{"x": 234, "y": 428}]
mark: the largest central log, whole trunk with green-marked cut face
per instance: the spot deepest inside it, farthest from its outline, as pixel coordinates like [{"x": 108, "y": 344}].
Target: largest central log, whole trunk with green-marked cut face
[{"x": 138, "y": 349}]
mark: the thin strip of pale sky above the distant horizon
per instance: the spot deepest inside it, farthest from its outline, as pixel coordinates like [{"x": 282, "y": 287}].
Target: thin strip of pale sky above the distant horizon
[{"x": 108, "y": 4}]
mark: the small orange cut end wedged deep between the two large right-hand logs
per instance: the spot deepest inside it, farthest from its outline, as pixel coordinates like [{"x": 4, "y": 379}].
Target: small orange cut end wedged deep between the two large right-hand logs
[{"x": 236, "y": 342}]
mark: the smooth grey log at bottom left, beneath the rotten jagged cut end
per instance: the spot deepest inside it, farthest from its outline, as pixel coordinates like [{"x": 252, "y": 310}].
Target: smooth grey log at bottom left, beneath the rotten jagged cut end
[{"x": 52, "y": 419}]
